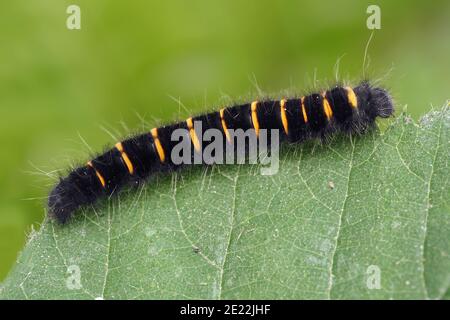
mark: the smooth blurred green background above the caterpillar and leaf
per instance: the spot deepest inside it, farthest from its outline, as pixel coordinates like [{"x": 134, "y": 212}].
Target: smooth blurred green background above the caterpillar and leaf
[{"x": 59, "y": 87}]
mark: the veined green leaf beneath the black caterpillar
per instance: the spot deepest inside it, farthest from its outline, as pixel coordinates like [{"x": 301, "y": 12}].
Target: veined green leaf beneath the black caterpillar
[{"x": 336, "y": 219}]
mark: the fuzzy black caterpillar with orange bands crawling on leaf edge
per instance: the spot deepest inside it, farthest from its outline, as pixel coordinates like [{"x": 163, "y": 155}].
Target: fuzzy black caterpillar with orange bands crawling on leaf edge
[{"x": 339, "y": 109}]
